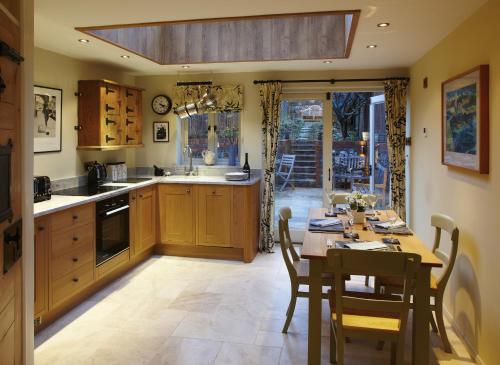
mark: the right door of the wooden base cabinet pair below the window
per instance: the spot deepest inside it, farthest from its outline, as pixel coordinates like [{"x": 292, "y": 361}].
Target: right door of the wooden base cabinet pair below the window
[{"x": 214, "y": 206}]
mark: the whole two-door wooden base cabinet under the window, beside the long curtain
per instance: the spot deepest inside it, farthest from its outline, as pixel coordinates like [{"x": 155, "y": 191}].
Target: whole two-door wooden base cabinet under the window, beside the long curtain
[{"x": 212, "y": 221}]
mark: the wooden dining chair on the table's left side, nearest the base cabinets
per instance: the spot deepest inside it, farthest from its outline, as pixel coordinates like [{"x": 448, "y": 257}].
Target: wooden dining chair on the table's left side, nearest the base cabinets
[{"x": 298, "y": 269}]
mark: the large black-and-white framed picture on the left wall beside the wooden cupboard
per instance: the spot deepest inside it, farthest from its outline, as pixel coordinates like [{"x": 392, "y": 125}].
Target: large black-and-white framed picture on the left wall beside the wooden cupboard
[{"x": 47, "y": 119}]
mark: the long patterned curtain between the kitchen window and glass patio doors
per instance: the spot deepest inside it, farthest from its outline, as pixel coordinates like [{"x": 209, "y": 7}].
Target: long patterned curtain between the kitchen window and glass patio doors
[{"x": 270, "y": 95}]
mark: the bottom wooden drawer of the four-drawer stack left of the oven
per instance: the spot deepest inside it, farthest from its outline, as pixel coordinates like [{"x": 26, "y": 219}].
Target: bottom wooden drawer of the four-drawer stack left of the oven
[{"x": 72, "y": 283}]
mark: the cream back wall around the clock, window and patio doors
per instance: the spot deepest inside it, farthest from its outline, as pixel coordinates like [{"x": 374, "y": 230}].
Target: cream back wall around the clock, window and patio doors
[{"x": 165, "y": 154}]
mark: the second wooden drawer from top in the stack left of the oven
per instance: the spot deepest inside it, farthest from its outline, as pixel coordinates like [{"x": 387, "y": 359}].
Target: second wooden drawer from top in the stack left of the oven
[{"x": 66, "y": 241}]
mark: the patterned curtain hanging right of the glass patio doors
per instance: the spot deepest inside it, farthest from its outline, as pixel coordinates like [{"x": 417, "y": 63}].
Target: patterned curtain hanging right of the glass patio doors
[{"x": 395, "y": 116}]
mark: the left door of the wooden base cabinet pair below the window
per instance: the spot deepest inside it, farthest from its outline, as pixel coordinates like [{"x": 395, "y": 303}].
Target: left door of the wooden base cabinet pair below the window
[{"x": 177, "y": 221}]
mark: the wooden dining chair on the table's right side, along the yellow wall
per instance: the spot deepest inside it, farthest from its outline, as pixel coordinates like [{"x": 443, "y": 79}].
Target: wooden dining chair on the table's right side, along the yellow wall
[{"x": 441, "y": 223}]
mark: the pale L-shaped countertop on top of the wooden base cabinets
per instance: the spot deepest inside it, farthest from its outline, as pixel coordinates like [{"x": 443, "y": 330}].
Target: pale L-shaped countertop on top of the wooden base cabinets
[{"x": 61, "y": 202}]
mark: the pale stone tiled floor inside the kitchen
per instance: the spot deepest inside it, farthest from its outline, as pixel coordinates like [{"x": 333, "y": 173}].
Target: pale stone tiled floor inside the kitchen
[{"x": 187, "y": 311}]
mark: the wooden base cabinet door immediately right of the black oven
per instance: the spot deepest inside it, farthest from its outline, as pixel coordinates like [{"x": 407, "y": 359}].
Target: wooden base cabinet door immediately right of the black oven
[{"x": 143, "y": 219}]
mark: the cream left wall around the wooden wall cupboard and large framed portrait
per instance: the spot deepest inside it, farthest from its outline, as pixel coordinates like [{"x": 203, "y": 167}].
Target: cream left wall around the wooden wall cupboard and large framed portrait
[{"x": 58, "y": 71}]
